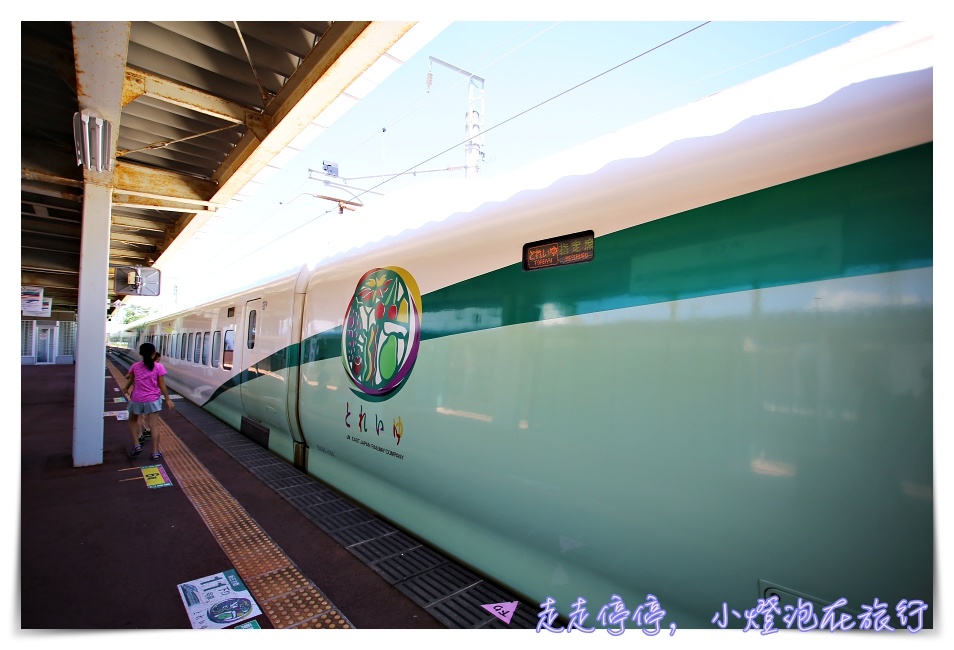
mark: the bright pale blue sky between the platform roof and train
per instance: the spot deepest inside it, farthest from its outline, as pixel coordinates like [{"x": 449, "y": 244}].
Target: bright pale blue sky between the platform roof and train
[{"x": 549, "y": 85}]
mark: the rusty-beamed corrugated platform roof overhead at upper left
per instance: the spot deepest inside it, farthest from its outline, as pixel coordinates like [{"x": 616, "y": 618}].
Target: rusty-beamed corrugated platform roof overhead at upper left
[{"x": 206, "y": 106}]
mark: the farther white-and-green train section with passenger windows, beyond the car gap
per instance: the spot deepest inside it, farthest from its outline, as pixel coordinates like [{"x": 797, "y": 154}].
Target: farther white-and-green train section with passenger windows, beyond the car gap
[{"x": 211, "y": 352}]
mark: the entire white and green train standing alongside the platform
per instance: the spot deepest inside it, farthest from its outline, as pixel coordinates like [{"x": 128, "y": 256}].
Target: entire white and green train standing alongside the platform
[{"x": 687, "y": 368}]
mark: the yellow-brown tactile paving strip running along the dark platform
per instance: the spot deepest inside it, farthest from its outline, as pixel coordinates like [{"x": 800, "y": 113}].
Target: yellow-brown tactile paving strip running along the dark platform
[{"x": 286, "y": 596}]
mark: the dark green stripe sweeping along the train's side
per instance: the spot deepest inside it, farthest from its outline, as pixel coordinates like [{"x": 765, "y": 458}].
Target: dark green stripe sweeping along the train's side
[{"x": 734, "y": 245}]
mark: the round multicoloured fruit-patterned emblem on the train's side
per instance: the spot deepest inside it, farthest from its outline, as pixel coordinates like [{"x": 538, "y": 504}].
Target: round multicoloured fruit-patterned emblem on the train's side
[{"x": 382, "y": 330}]
